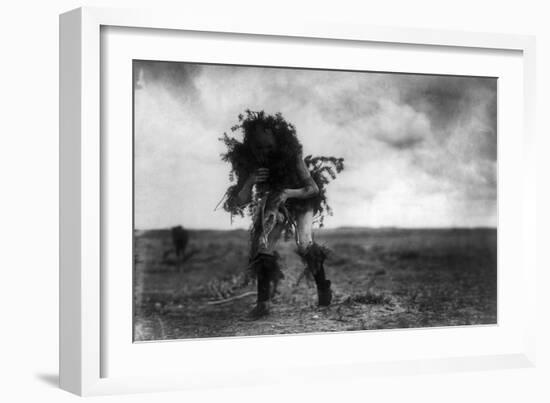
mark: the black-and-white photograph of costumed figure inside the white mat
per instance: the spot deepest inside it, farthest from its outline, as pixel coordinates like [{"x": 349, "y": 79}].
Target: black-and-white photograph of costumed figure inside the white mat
[{"x": 276, "y": 200}]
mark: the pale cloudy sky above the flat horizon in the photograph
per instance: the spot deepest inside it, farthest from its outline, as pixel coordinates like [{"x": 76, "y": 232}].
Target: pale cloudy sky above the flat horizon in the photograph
[{"x": 419, "y": 150}]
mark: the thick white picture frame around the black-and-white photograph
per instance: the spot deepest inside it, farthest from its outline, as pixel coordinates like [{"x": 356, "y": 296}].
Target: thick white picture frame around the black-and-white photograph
[{"x": 83, "y": 178}]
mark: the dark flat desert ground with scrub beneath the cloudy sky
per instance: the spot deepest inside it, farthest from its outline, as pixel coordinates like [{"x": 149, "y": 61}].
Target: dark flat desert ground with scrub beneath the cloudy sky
[{"x": 382, "y": 279}]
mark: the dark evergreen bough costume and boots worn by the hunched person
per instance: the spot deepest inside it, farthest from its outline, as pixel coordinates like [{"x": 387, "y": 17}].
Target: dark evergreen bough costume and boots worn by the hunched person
[{"x": 273, "y": 217}]
